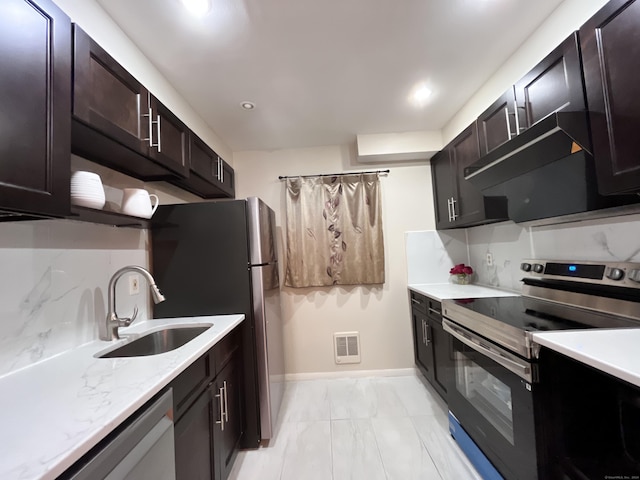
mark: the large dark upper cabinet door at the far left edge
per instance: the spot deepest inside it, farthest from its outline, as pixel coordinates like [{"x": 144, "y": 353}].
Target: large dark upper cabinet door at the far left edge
[{"x": 35, "y": 101}]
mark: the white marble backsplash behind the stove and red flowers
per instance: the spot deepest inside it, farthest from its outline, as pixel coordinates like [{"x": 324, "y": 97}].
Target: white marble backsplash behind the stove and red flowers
[{"x": 603, "y": 239}]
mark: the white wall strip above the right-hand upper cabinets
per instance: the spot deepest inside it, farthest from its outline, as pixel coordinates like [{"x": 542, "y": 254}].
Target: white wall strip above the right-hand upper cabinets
[{"x": 569, "y": 16}]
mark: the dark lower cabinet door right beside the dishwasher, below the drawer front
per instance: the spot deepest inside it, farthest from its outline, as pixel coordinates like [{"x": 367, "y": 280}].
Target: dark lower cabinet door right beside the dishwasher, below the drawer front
[{"x": 194, "y": 442}]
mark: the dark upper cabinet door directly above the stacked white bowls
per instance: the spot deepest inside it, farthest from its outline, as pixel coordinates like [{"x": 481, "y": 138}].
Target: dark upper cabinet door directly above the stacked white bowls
[{"x": 107, "y": 97}]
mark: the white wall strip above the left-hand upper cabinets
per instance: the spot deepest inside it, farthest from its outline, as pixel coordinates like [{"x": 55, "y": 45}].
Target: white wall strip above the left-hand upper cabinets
[{"x": 99, "y": 25}]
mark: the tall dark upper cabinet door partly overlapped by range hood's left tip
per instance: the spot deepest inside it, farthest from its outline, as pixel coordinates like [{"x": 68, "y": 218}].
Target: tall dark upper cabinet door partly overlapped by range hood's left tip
[{"x": 469, "y": 202}]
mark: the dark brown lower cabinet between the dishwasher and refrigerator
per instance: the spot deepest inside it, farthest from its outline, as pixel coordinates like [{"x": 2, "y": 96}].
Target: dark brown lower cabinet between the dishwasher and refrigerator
[{"x": 209, "y": 426}]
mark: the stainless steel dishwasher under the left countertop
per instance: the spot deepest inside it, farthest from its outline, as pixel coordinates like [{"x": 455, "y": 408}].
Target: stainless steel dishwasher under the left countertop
[{"x": 140, "y": 449}]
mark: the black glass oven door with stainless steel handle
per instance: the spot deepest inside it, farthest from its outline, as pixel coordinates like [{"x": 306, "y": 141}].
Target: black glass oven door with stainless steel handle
[{"x": 492, "y": 403}]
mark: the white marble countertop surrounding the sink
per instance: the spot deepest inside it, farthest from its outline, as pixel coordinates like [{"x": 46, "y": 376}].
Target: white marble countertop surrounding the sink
[{"x": 53, "y": 412}]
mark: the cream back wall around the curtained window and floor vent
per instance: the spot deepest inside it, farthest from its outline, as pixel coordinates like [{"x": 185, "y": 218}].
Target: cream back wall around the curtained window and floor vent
[{"x": 380, "y": 314}]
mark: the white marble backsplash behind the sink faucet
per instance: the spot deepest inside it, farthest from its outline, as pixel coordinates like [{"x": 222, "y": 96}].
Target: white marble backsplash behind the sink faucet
[{"x": 53, "y": 285}]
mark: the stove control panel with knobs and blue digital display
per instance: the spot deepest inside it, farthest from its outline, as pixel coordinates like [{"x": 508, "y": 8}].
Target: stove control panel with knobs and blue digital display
[{"x": 619, "y": 274}]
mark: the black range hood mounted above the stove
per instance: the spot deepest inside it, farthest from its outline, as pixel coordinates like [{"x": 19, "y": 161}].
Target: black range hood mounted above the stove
[{"x": 545, "y": 172}]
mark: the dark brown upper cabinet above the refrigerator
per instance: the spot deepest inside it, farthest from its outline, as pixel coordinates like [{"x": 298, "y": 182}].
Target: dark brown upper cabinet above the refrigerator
[{"x": 210, "y": 176}]
